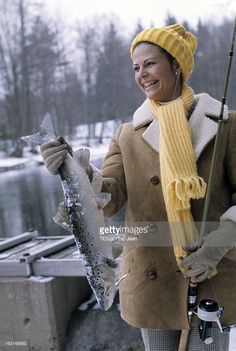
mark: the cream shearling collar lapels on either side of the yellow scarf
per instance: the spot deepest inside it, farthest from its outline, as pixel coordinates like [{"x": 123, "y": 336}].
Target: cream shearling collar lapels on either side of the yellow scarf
[{"x": 203, "y": 128}]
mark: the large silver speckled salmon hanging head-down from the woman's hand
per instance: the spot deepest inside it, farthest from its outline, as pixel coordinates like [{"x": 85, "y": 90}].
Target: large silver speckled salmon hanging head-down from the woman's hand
[{"x": 85, "y": 217}]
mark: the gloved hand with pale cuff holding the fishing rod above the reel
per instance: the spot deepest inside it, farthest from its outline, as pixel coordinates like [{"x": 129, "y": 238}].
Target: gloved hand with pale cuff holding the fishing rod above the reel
[{"x": 202, "y": 263}]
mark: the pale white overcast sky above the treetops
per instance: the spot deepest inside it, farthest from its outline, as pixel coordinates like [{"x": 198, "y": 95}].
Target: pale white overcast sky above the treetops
[{"x": 129, "y": 11}]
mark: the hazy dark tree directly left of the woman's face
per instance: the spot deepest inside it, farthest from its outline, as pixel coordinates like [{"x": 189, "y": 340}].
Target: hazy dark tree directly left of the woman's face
[{"x": 116, "y": 93}]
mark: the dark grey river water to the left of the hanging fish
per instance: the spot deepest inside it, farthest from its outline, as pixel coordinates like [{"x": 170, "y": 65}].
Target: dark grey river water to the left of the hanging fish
[{"x": 28, "y": 200}]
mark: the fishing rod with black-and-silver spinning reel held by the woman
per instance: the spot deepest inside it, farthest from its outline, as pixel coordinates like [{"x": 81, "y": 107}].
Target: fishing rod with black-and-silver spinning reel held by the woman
[{"x": 192, "y": 290}]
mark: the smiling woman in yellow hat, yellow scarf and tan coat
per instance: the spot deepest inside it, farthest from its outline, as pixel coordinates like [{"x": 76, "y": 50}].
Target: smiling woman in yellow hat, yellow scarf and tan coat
[{"x": 159, "y": 164}]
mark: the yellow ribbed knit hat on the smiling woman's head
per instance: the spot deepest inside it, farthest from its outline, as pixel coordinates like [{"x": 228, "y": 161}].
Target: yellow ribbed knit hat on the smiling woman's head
[{"x": 175, "y": 40}]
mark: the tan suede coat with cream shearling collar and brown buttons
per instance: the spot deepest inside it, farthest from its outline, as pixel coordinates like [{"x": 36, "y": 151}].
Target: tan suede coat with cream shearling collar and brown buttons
[{"x": 154, "y": 293}]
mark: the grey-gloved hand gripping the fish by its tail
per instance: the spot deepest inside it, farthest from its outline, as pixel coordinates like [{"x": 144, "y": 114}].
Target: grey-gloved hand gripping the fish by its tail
[{"x": 53, "y": 154}]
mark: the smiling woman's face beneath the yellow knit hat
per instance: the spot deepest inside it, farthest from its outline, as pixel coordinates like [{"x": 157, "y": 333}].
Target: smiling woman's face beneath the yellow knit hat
[{"x": 154, "y": 74}]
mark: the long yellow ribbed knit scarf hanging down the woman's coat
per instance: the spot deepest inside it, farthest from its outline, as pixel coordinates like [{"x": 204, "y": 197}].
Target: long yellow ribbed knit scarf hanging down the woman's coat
[{"x": 180, "y": 181}]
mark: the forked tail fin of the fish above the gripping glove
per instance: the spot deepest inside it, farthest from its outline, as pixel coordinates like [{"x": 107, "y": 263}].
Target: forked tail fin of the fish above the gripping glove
[{"x": 46, "y": 132}]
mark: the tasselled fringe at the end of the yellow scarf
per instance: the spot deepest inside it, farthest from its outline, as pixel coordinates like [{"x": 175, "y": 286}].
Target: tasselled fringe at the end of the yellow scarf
[{"x": 181, "y": 190}]
